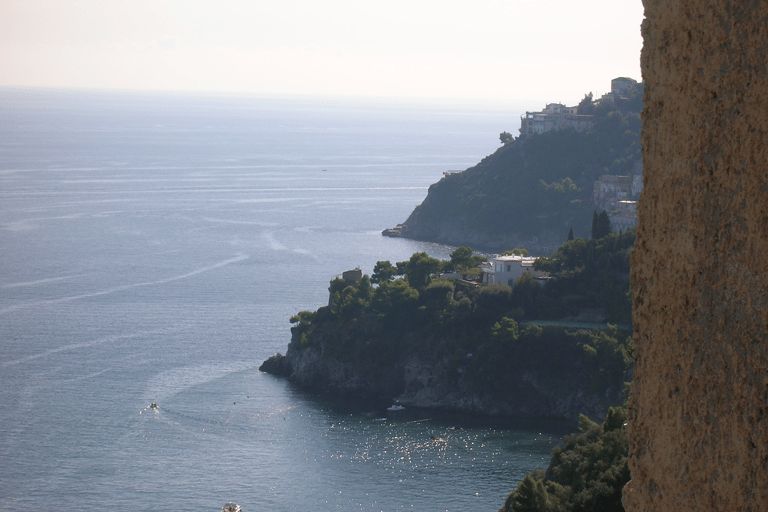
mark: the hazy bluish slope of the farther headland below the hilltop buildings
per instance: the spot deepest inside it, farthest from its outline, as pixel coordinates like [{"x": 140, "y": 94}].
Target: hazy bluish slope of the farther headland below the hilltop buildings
[{"x": 532, "y": 190}]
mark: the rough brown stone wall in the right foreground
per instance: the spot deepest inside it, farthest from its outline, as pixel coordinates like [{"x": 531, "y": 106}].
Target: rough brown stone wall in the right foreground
[{"x": 698, "y": 425}]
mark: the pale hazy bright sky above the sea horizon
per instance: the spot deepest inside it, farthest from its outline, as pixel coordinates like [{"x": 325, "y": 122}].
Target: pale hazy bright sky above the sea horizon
[{"x": 507, "y": 49}]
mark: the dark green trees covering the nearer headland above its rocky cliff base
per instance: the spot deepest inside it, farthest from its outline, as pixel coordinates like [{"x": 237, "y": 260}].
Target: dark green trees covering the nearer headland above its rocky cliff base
[{"x": 486, "y": 336}]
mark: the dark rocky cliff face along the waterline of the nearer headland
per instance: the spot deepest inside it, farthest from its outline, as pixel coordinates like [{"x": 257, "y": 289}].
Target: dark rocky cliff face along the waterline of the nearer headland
[{"x": 425, "y": 380}]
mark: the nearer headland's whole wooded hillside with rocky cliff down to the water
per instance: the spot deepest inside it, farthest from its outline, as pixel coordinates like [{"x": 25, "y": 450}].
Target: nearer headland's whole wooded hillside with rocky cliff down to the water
[{"x": 405, "y": 333}]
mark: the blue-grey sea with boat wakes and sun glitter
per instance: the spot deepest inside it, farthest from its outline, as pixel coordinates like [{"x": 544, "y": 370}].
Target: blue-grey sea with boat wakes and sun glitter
[{"x": 153, "y": 247}]
